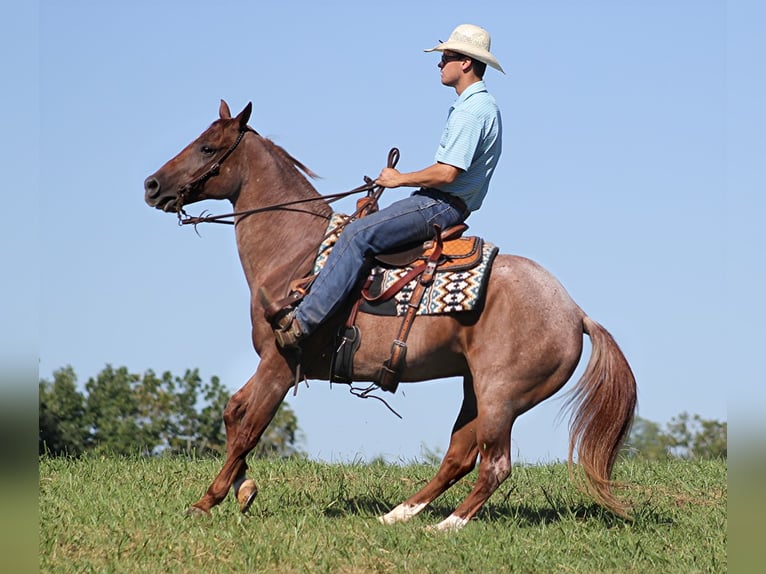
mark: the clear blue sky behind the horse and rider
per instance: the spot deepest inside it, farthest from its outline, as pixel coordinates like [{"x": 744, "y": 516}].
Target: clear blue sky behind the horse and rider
[{"x": 632, "y": 169}]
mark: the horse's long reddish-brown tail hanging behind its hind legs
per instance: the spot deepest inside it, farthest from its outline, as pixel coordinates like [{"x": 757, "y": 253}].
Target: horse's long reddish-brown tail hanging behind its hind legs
[{"x": 603, "y": 404}]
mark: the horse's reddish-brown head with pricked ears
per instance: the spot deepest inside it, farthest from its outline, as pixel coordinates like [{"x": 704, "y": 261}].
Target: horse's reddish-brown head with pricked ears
[{"x": 200, "y": 171}]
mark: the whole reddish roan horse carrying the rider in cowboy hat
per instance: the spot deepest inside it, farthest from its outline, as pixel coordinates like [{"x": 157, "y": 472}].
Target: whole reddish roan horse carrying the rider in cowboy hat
[{"x": 519, "y": 348}]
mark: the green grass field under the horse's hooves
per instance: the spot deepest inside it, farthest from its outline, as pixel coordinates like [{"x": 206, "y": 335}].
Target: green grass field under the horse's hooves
[{"x": 127, "y": 515}]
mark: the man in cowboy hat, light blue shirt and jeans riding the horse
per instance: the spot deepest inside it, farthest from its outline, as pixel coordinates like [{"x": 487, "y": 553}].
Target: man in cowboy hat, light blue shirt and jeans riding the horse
[{"x": 449, "y": 190}]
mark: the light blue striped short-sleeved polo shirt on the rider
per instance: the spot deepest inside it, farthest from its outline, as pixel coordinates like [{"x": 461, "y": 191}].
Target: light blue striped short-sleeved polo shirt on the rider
[{"x": 471, "y": 141}]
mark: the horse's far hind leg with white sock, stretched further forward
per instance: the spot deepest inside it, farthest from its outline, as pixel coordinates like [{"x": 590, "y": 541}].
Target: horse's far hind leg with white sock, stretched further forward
[{"x": 459, "y": 460}]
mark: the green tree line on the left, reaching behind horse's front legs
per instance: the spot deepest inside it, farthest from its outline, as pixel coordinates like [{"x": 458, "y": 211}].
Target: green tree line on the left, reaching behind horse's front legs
[{"x": 126, "y": 413}]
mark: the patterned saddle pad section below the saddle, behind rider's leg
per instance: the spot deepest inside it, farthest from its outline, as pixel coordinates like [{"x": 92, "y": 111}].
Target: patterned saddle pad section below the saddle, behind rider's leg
[{"x": 450, "y": 292}]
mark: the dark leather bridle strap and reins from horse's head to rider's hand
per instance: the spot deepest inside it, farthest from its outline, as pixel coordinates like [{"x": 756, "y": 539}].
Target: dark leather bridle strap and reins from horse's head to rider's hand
[{"x": 373, "y": 191}]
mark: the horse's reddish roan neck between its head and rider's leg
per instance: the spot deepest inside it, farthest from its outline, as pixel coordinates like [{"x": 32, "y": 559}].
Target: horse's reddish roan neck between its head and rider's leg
[{"x": 277, "y": 246}]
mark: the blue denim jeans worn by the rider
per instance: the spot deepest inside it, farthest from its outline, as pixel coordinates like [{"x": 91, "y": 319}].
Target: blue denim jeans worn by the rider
[{"x": 404, "y": 222}]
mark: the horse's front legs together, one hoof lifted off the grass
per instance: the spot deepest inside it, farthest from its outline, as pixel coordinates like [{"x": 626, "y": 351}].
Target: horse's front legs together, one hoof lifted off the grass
[{"x": 247, "y": 415}]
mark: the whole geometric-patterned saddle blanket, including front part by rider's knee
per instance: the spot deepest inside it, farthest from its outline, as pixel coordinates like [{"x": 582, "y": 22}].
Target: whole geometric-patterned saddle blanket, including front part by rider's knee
[{"x": 453, "y": 290}]
